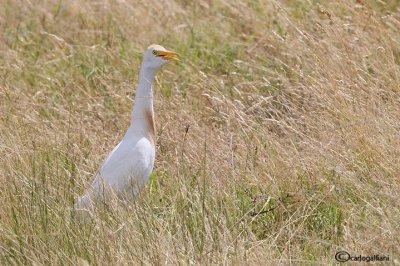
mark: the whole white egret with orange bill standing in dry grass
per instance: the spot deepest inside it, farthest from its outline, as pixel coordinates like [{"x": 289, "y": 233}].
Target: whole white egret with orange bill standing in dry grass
[{"x": 128, "y": 167}]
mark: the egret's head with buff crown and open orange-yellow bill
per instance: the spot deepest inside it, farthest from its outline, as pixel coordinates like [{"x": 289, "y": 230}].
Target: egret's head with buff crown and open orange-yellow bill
[{"x": 156, "y": 56}]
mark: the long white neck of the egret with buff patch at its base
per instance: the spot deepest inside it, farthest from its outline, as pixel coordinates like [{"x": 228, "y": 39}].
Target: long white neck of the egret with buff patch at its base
[{"x": 142, "y": 113}]
